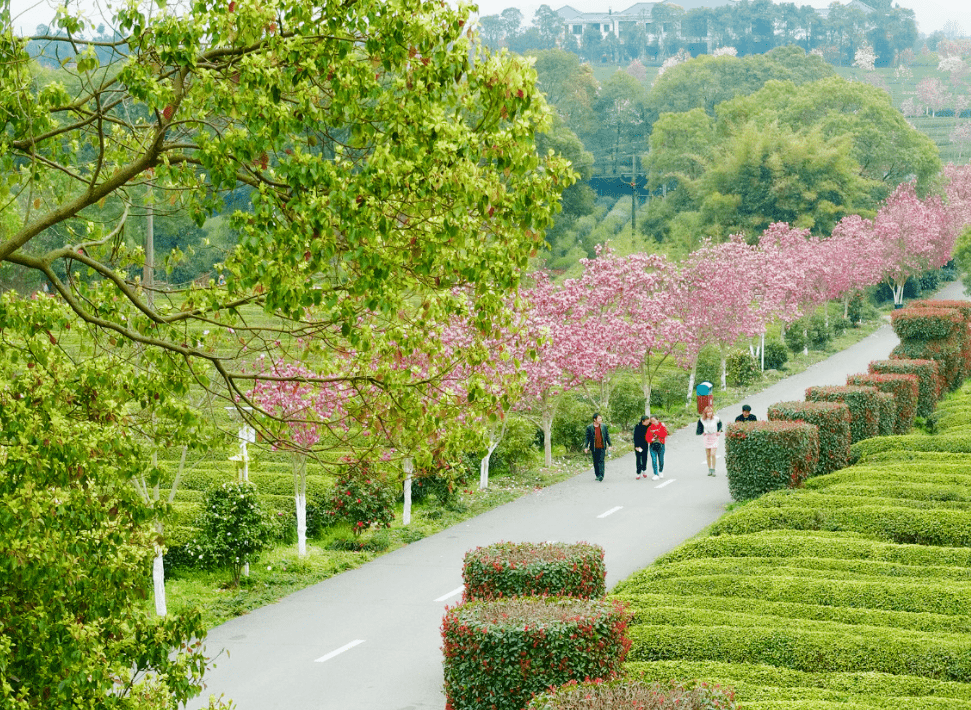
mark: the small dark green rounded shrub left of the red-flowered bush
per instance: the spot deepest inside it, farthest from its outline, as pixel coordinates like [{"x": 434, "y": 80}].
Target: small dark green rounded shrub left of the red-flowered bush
[{"x": 233, "y": 529}]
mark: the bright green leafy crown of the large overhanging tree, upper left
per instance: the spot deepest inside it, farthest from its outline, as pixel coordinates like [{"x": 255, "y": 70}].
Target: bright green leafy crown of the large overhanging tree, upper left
[{"x": 389, "y": 161}]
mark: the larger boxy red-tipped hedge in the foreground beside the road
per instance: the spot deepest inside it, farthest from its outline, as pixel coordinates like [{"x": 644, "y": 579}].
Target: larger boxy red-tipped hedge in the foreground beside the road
[{"x": 499, "y": 653}]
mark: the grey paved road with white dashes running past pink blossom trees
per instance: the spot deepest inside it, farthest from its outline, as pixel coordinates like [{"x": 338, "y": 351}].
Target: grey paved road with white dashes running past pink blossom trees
[{"x": 369, "y": 639}]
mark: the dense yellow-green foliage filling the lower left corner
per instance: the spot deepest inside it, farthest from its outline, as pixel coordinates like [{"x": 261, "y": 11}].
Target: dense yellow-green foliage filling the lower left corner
[{"x": 76, "y": 541}]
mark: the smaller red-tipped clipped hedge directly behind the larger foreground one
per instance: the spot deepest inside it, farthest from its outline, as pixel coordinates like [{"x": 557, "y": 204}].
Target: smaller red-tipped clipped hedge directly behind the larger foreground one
[{"x": 508, "y": 569}]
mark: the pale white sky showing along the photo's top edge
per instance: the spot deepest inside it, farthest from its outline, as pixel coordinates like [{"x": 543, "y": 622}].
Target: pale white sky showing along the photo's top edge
[{"x": 931, "y": 14}]
